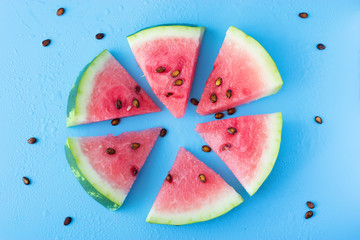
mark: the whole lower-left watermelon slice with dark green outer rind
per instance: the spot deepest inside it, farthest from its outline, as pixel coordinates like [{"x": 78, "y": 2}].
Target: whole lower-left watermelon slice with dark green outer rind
[{"x": 108, "y": 175}]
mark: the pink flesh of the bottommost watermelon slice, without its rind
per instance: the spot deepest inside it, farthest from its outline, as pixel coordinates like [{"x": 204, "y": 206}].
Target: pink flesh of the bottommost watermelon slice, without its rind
[{"x": 186, "y": 192}]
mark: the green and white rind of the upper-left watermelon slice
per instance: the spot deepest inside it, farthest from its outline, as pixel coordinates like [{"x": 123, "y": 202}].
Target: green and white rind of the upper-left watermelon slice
[{"x": 80, "y": 93}]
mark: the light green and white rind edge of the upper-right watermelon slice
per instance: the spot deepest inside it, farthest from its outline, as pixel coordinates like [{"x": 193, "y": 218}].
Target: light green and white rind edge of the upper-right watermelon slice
[{"x": 274, "y": 79}]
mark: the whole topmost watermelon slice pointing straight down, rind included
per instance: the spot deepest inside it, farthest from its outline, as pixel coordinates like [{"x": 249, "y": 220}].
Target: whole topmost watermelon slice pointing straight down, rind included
[{"x": 167, "y": 56}]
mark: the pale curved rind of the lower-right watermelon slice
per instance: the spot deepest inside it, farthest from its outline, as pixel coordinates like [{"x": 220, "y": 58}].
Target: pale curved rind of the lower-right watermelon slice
[{"x": 269, "y": 156}]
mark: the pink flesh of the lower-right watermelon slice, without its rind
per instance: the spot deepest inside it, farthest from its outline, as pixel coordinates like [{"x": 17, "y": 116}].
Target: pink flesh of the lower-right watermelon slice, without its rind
[{"x": 247, "y": 146}]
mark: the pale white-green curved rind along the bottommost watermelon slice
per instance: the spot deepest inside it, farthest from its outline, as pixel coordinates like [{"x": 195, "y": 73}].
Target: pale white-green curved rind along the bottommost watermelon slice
[{"x": 228, "y": 199}]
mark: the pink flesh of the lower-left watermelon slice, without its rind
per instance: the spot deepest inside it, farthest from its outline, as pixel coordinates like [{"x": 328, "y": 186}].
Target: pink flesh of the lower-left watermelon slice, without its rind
[{"x": 117, "y": 169}]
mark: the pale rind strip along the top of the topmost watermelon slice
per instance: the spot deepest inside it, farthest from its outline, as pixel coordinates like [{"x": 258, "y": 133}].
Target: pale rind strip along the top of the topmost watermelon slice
[{"x": 163, "y": 32}]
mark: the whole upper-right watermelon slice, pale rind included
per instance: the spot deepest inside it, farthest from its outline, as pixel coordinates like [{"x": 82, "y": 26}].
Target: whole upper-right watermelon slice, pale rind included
[{"x": 243, "y": 72}]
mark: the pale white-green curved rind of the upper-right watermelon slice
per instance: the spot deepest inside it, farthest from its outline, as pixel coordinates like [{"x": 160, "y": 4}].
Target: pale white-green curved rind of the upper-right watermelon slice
[{"x": 267, "y": 67}]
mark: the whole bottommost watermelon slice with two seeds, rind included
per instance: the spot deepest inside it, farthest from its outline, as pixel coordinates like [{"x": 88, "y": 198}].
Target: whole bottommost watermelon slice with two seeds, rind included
[{"x": 191, "y": 193}]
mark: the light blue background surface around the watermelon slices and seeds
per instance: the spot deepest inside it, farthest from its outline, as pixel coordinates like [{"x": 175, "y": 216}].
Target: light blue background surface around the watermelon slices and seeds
[{"x": 316, "y": 162}]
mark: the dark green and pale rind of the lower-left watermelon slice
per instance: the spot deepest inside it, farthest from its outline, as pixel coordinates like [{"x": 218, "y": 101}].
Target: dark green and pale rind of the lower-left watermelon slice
[{"x": 73, "y": 157}]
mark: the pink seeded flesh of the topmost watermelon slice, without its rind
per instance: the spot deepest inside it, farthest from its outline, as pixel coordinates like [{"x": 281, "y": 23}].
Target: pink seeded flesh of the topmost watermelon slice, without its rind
[{"x": 173, "y": 54}]
